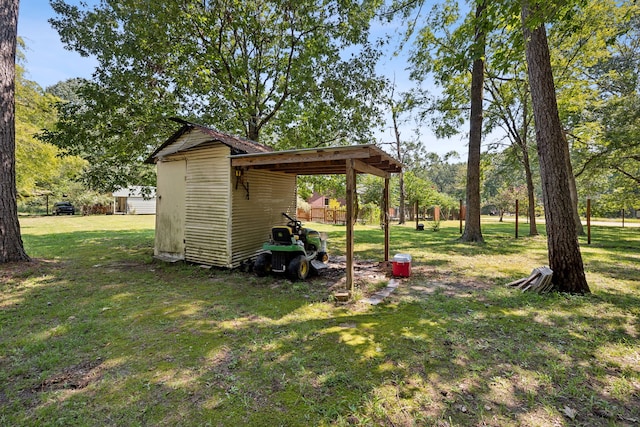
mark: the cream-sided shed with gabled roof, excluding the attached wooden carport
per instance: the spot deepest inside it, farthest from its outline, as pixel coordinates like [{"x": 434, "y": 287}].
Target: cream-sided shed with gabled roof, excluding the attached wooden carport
[{"x": 205, "y": 212}]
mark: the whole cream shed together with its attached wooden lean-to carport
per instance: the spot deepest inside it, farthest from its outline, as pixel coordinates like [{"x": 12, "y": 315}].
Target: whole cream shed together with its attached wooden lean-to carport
[{"x": 219, "y": 195}]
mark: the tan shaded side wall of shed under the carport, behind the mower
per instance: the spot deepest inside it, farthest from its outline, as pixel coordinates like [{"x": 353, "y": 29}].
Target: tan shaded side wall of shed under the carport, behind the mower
[{"x": 270, "y": 194}]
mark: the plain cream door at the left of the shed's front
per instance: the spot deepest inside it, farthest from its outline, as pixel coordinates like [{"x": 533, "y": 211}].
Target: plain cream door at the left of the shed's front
[{"x": 170, "y": 209}]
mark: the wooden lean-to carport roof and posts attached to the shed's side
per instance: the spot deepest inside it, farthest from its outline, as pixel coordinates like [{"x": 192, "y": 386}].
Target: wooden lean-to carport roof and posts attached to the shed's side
[{"x": 349, "y": 161}]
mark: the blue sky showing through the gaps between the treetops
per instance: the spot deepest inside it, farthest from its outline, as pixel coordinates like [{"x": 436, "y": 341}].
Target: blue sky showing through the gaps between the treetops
[{"x": 48, "y": 62}]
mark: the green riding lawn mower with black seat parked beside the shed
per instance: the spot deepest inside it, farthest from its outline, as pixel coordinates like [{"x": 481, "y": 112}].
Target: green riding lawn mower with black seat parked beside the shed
[{"x": 293, "y": 250}]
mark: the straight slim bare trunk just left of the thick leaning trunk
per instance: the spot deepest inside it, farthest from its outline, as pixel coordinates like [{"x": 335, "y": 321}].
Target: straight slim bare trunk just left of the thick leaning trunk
[{"x": 472, "y": 229}]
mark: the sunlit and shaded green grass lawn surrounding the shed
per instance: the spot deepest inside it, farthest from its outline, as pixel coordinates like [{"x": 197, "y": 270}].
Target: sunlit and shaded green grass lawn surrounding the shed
[{"x": 93, "y": 332}]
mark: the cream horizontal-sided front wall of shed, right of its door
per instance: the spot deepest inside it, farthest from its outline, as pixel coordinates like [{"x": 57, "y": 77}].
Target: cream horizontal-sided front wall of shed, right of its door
[{"x": 207, "y": 206}]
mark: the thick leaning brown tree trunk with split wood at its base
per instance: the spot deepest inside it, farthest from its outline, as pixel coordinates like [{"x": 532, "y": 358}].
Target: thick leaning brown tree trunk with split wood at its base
[{"x": 564, "y": 251}]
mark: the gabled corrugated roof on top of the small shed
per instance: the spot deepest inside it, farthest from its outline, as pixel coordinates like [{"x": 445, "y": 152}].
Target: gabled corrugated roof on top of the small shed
[{"x": 237, "y": 144}]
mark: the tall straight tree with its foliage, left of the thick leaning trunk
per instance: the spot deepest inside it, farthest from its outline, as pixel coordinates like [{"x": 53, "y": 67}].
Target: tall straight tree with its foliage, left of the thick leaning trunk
[{"x": 451, "y": 47}]
